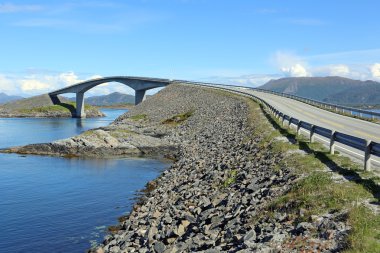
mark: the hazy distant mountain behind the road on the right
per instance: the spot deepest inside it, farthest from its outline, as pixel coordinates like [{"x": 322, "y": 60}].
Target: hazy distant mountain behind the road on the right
[{"x": 332, "y": 89}]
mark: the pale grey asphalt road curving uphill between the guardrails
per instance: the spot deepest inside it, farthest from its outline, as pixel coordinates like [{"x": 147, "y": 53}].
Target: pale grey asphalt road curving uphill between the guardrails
[{"x": 326, "y": 119}]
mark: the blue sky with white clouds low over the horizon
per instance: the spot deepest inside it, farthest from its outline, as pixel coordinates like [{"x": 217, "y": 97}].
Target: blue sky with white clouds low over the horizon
[{"x": 46, "y": 45}]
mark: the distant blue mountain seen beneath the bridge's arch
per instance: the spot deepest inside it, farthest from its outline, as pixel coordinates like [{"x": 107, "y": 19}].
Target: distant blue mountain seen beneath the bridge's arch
[{"x": 115, "y": 98}]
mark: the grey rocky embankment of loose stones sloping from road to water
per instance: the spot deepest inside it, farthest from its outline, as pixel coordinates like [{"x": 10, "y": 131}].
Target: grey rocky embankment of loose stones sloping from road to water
[{"x": 214, "y": 197}]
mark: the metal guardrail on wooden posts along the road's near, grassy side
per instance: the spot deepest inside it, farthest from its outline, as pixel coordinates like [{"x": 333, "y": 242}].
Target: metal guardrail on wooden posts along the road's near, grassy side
[{"x": 370, "y": 148}]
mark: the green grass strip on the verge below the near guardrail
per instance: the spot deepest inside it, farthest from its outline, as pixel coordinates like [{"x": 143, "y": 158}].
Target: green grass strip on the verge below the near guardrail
[{"x": 316, "y": 193}]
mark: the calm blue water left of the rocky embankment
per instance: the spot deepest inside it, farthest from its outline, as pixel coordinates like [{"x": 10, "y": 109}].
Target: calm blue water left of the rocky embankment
[{"x": 50, "y": 204}]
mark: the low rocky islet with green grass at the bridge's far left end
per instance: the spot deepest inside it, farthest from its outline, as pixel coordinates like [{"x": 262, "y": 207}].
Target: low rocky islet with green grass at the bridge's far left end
[{"x": 42, "y": 106}]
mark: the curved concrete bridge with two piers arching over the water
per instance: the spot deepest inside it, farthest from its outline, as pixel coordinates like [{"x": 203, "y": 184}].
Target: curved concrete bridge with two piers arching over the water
[{"x": 139, "y": 84}]
